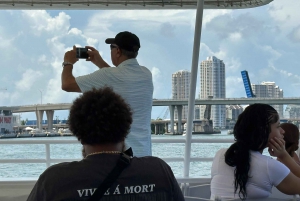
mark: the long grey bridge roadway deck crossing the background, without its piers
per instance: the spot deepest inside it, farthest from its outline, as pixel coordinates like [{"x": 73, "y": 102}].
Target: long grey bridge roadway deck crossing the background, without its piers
[{"x": 164, "y": 102}]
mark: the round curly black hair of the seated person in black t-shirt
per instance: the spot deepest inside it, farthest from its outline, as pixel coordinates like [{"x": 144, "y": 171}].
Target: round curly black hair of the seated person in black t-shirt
[{"x": 100, "y": 116}]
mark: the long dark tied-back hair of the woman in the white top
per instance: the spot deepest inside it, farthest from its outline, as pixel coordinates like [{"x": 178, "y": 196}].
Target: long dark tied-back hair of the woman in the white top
[{"x": 251, "y": 132}]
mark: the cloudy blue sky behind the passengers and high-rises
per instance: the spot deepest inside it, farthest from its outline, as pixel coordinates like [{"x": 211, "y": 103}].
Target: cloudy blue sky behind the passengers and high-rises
[{"x": 264, "y": 41}]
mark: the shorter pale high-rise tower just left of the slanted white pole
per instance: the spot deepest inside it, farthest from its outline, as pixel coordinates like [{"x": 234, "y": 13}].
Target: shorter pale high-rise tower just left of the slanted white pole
[{"x": 181, "y": 89}]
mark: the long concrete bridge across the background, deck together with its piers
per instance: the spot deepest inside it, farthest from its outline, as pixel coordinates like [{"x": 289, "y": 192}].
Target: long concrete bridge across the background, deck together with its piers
[{"x": 49, "y": 108}]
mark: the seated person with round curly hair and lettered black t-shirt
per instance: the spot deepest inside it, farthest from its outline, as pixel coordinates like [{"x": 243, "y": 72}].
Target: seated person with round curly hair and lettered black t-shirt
[{"x": 101, "y": 120}]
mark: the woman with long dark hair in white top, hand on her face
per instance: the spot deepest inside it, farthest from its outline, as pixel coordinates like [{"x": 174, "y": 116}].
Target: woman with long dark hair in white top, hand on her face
[{"x": 242, "y": 171}]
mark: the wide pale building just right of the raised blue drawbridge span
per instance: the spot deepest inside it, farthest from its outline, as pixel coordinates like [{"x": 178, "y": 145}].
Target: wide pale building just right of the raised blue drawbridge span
[{"x": 269, "y": 90}]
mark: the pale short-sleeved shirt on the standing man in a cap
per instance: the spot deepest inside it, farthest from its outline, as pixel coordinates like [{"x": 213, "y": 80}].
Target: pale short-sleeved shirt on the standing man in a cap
[{"x": 134, "y": 83}]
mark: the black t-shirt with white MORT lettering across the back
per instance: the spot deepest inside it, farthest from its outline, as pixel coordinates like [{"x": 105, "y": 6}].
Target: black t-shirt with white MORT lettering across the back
[{"x": 145, "y": 179}]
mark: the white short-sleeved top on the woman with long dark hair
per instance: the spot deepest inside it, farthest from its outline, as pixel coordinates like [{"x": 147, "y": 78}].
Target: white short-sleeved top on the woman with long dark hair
[{"x": 265, "y": 172}]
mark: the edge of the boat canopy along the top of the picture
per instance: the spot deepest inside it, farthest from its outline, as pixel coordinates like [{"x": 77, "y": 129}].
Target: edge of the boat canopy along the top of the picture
[{"x": 126, "y": 4}]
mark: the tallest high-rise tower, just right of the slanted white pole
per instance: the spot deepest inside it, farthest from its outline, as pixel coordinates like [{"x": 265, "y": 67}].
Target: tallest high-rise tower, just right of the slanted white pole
[{"x": 212, "y": 83}]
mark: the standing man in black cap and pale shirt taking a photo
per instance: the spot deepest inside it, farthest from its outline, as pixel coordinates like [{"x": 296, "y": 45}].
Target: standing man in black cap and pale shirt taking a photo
[{"x": 129, "y": 79}]
